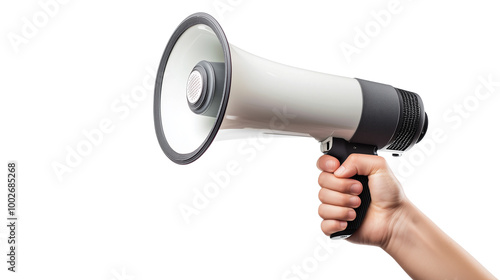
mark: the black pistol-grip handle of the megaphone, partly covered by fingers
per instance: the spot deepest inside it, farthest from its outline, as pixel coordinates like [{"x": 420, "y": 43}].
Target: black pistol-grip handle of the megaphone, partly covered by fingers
[{"x": 341, "y": 149}]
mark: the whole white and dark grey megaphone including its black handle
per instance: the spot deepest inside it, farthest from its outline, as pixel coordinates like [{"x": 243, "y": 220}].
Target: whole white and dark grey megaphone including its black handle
[{"x": 204, "y": 85}]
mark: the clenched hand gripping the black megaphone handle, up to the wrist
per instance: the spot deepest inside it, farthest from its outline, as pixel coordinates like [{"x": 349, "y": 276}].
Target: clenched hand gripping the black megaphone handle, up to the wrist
[{"x": 339, "y": 197}]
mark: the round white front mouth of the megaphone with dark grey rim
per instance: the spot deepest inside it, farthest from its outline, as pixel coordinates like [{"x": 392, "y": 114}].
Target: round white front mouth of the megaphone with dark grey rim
[{"x": 184, "y": 135}]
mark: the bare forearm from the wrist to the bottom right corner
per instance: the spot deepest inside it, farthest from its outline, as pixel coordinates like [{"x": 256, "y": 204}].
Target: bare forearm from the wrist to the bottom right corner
[{"x": 425, "y": 252}]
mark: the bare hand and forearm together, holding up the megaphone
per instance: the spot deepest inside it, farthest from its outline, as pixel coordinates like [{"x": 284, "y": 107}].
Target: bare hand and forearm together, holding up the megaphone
[{"x": 392, "y": 222}]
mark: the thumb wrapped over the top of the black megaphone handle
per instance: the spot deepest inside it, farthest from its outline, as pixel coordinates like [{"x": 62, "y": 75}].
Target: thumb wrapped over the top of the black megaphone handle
[{"x": 360, "y": 164}]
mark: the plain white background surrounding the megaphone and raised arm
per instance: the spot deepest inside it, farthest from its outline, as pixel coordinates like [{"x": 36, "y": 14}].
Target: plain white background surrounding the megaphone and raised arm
[{"x": 116, "y": 214}]
